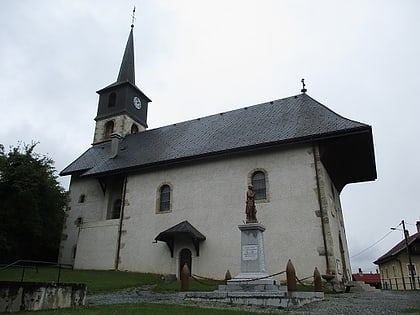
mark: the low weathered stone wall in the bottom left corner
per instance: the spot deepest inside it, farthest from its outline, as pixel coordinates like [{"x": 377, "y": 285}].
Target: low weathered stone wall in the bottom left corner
[{"x": 35, "y": 296}]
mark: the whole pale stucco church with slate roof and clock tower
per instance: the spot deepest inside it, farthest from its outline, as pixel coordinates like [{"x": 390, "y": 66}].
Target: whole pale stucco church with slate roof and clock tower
[{"x": 151, "y": 200}]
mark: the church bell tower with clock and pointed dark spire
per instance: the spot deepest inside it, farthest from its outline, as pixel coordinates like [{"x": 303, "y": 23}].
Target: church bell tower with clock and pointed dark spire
[{"x": 122, "y": 106}]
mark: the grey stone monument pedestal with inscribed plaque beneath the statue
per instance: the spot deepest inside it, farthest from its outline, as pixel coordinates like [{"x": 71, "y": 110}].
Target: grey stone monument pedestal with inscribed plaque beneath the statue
[{"x": 253, "y": 271}]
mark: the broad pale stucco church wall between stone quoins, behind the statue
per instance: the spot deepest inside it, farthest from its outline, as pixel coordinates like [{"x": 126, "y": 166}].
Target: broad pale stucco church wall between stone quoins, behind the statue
[{"x": 211, "y": 196}]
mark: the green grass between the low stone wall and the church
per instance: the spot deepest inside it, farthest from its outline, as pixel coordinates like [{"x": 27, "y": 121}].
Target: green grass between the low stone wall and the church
[{"x": 104, "y": 281}]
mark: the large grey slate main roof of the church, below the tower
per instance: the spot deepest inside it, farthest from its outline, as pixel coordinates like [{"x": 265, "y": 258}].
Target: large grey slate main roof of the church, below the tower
[{"x": 293, "y": 119}]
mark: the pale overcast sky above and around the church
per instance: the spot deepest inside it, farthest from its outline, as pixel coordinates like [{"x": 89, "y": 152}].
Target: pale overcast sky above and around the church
[{"x": 195, "y": 58}]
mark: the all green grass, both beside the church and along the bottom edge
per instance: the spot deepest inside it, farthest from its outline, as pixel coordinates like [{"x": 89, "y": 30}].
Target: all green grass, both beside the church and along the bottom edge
[{"x": 109, "y": 281}]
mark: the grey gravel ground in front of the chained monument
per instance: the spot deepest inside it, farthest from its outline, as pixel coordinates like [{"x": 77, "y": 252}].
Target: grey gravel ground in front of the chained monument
[{"x": 385, "y": 302}]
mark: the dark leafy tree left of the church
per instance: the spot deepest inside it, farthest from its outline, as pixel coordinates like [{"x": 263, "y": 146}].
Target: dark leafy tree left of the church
[{"x": 32, "y": 205}]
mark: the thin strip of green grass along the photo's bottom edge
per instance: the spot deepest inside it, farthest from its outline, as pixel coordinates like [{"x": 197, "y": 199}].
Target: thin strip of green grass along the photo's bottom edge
[{"x": 144, "y": 309}]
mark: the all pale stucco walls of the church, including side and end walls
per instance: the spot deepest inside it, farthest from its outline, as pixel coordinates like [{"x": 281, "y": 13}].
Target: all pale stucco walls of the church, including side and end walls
[{"x": 211, "y": 196}]
